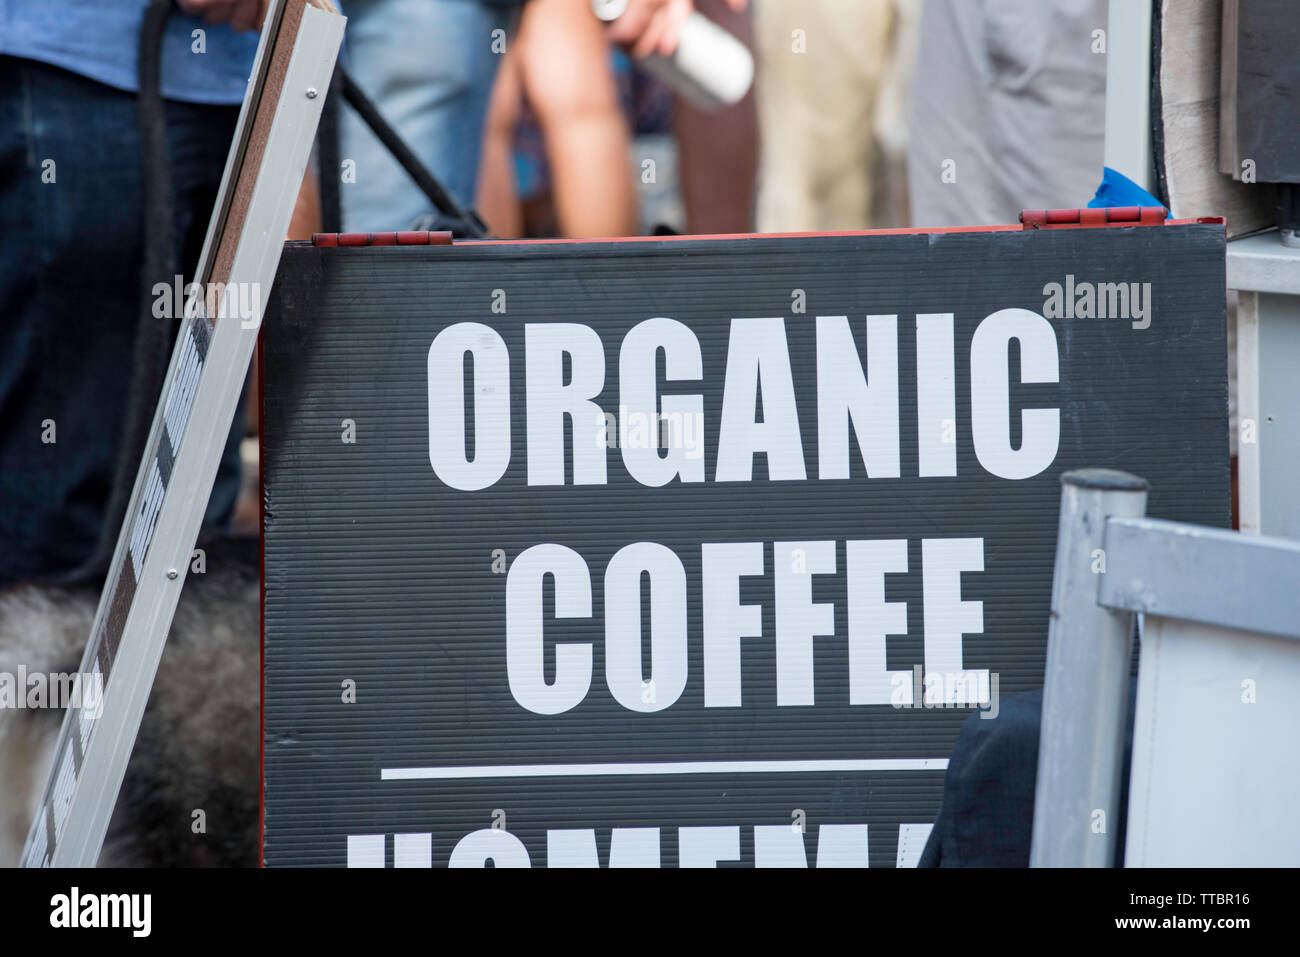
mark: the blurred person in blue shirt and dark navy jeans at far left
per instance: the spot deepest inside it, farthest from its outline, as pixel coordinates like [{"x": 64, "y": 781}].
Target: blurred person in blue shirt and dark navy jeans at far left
[{"x": 72, "y": 250}]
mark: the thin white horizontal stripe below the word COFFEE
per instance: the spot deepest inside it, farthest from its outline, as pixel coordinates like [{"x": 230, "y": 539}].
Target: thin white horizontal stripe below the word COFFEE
[{"x": 408, "y": 774}]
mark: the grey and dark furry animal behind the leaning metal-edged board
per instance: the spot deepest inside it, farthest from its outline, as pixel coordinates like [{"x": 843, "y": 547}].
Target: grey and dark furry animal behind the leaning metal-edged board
[{"x": 198, "y": 748}]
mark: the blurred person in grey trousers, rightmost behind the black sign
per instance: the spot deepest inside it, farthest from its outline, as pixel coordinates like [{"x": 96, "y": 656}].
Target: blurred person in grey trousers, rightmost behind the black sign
[{"x": 1008, "y": 110}]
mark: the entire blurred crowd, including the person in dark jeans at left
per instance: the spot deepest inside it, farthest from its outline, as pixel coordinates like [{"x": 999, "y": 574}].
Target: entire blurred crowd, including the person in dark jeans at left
[{"x": 547, "y": 116}]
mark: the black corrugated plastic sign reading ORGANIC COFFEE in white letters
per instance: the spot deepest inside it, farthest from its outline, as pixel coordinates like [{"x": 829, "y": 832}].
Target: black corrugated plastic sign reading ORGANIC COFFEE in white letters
[{"x": 692, "y": 552}]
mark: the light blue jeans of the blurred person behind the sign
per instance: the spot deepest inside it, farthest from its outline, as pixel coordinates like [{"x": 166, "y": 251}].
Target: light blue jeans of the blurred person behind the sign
[{"x": 430, "y": 67}]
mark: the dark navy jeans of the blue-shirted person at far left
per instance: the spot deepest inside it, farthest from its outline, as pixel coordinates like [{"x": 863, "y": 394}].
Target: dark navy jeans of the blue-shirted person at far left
[{"x": 71, "y": 295}]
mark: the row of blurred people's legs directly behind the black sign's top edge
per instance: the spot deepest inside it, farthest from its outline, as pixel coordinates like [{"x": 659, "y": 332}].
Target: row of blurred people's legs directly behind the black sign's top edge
[{"x": 863, "y": 114}]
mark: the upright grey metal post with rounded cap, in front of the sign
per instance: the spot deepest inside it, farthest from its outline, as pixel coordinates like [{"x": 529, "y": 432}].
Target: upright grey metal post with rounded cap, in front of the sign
[{"x": 1086, "y": 685}]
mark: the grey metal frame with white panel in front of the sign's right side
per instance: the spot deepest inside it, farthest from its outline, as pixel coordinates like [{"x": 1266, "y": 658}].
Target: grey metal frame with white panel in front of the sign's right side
[{"x": 1217, "y": 728}]
